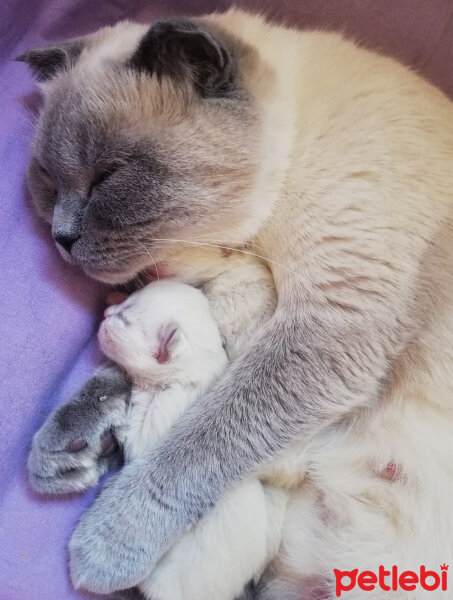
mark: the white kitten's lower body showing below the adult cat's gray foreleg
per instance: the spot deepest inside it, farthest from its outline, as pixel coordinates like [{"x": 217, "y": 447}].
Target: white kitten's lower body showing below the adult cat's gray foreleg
[{"x": 230, "y": 547}]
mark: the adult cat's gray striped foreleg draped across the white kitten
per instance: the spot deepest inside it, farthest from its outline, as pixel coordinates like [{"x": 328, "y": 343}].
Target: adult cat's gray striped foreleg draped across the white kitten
[{"x": 226, "y": 439}]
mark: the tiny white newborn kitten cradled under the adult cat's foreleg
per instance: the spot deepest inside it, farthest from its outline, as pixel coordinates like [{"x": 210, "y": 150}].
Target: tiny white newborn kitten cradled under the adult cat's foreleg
[{"x": 168, "y": 341}]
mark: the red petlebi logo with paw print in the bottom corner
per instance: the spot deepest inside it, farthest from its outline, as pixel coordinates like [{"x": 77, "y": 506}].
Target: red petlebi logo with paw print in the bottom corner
[{"x": 391, "y": 580}]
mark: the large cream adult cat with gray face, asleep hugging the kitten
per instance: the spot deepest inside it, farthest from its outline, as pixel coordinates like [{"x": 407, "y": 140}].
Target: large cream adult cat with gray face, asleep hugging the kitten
[{"x": 337, "y": 164}]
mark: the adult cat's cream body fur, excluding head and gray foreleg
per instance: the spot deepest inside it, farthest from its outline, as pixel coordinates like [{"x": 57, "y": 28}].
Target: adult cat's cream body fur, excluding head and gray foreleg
[{"x": 357, "y": 171}]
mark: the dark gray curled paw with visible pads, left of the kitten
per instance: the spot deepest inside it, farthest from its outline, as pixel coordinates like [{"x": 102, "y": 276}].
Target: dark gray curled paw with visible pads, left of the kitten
[{"x": 76, "y": 444}]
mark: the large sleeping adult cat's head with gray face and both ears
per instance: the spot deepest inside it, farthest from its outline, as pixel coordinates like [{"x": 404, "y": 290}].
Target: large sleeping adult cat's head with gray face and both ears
[{"x": 146, "y": 134}]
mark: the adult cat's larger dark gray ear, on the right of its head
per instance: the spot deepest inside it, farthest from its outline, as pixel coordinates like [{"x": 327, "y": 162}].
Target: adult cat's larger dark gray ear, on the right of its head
[{"x": 183, "y": 48}]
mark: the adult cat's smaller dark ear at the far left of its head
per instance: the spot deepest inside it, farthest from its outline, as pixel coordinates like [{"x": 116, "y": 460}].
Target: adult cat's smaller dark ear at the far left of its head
[{"x": 46, "y": 62}]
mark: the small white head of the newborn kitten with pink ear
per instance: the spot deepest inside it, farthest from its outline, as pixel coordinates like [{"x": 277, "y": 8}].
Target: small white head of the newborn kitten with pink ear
[{"x": 163, "y": 333}]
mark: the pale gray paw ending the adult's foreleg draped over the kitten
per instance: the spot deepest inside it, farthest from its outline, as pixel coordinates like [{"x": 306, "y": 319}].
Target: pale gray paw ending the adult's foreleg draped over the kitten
[{"x": 119, "y": 538}]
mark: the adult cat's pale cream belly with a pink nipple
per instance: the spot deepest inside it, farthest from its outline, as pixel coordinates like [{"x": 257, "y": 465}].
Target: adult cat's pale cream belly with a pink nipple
[{"x": 377, "y": 491}]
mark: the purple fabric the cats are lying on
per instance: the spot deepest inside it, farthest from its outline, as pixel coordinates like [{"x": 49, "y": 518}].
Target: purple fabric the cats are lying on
[{"x": 48, "y": 310}]
